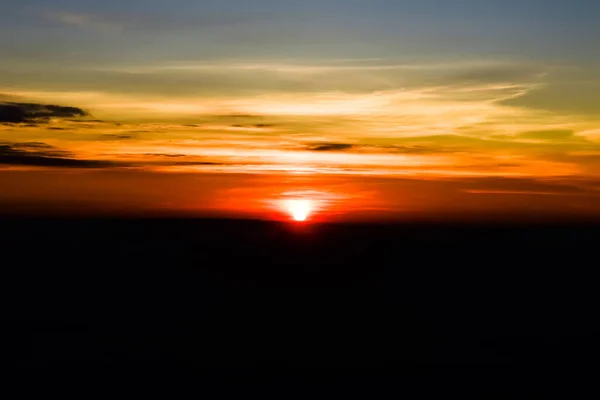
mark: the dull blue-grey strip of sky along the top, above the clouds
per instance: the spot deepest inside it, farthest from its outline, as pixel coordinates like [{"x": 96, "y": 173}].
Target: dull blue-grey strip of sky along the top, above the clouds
[{"x": 557, "y": 31}]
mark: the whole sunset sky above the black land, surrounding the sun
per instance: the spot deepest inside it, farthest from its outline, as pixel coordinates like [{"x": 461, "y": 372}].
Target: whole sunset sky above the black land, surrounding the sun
[{"x": 379, "y": 109}]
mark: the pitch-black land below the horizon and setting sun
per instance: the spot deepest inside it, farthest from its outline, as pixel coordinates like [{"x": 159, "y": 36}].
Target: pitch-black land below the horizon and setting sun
[{"x": 426, "y": 307}]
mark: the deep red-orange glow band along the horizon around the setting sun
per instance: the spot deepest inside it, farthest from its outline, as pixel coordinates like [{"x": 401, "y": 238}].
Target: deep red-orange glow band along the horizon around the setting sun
[{"x": 292, "y": 199}]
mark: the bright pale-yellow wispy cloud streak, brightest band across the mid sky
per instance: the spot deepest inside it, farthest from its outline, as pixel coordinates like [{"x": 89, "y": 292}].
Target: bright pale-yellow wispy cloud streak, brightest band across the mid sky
[{"x": 392, "y": 113}]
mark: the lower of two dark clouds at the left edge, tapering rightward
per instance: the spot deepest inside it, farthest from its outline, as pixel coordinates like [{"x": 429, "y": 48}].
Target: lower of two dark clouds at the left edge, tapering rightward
[{"x": 37, "y": 154}]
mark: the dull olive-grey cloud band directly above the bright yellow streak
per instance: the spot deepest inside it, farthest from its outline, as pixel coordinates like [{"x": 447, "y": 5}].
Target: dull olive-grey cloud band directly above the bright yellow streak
[{"x": 188, "y": 78}]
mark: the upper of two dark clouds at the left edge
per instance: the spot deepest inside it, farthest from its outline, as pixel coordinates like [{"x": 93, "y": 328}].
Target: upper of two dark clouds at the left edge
[{"x": 32, "y": 112}]
